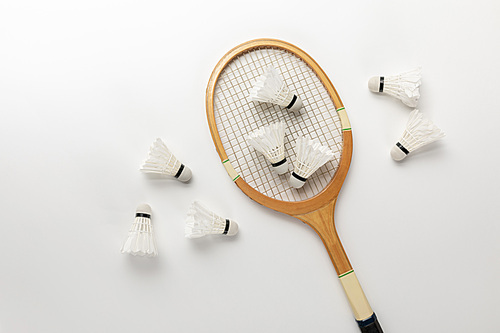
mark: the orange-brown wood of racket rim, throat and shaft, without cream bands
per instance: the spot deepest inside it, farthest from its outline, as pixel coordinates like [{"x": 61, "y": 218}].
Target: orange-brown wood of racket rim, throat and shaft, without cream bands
[{"x": 317, "y": 211}]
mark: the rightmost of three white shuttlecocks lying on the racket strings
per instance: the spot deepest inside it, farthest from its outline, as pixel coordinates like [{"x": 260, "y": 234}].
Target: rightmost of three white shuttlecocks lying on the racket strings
[{"x": 311, "y": 155}]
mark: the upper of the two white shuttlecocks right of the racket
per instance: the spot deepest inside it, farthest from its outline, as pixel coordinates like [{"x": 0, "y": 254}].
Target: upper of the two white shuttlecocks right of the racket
[{"x": 404, "y": 86}]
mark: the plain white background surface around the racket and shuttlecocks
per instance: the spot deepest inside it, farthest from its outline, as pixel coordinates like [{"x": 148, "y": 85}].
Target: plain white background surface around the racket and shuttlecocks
[{"x": 85, "y": 88}]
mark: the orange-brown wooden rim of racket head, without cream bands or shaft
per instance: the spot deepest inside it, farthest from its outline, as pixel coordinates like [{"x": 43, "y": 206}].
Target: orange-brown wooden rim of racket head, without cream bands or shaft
[{"x": 330, "y": 192}]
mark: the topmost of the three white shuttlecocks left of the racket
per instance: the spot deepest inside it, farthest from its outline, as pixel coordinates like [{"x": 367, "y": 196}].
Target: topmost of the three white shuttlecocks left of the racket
[{"x": 162, "y": 161}]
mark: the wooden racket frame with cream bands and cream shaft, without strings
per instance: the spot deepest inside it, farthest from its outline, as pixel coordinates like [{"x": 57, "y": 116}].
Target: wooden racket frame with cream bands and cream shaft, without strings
[{"x": 318, "y": 211}]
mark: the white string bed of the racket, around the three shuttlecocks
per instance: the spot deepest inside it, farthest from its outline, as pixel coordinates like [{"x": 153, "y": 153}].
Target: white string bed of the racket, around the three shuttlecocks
[{"x": 244, "y": 116}]
